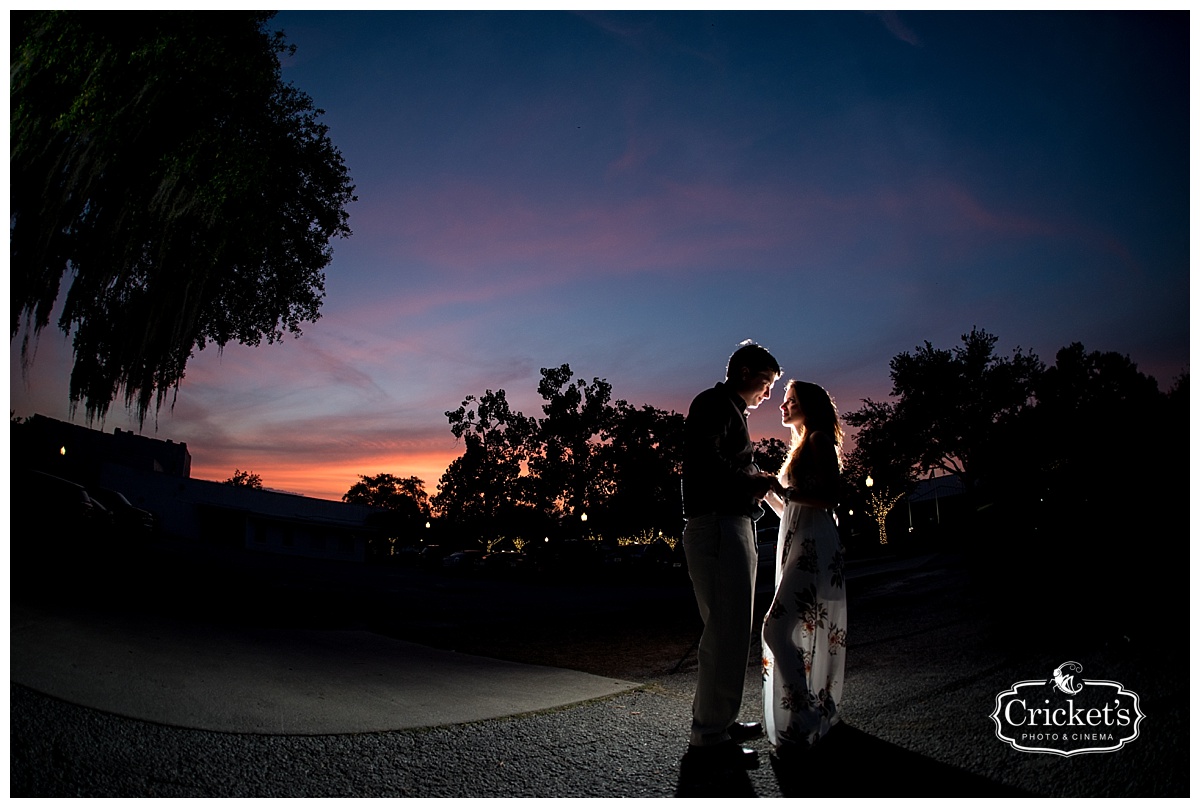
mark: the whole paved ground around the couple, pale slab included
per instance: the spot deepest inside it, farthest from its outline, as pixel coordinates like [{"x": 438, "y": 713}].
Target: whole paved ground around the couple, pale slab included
[{"x": 923, "y": 673}]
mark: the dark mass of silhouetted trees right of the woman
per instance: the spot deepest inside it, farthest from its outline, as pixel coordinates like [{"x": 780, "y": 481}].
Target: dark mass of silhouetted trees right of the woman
[{"x": 1076, "y": 475}]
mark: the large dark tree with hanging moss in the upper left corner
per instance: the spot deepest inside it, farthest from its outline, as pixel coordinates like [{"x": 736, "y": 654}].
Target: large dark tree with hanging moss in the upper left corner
[{"x": 183, "y": 193}]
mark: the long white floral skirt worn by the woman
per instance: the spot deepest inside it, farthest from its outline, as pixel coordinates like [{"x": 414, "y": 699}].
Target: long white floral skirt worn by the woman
[{"x": 805, "y": 632}]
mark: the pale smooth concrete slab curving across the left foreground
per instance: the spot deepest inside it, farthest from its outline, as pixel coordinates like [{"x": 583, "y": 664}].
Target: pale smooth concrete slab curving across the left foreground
[{"x": 280, "y": 681}]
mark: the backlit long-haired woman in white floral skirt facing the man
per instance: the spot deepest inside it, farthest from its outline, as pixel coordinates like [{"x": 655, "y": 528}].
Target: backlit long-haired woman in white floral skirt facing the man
[{"x": 805, "y": 633}]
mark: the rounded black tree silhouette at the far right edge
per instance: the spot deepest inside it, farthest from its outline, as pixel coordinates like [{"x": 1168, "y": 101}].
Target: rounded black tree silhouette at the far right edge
[{"x": 1096, "y": 475}]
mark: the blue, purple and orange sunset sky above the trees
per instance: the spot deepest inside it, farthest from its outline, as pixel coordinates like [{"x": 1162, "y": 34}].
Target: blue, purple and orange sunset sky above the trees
[{"x": 634, "y": 194}]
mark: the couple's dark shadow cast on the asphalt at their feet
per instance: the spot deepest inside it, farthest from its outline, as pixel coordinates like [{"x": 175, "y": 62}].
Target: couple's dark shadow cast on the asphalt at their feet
[{"x": 848, "y": 763}]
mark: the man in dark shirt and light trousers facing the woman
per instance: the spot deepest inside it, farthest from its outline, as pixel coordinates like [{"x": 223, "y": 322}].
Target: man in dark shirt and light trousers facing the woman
[{"x": 723, "y": 492}]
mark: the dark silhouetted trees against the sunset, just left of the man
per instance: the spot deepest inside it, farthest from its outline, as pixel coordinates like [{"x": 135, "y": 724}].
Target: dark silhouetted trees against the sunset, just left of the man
[{"x": 539, "y": 476}]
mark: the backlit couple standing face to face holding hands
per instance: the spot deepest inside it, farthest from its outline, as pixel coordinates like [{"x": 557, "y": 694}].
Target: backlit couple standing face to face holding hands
[{"x": 805, "y": 632}]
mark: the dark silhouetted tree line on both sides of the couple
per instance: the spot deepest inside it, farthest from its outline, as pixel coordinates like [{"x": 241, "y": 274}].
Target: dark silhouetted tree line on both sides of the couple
[{"x": 1072, "y": 472}]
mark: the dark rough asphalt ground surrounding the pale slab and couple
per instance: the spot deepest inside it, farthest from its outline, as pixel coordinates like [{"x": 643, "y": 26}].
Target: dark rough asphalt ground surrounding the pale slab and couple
[{"x": 929, "y": 651}]
